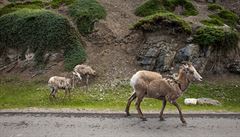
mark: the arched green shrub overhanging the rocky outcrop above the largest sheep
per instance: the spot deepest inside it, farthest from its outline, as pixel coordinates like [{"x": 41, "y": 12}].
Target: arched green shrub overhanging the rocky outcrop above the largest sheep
[{"x": 151, "y": 23}]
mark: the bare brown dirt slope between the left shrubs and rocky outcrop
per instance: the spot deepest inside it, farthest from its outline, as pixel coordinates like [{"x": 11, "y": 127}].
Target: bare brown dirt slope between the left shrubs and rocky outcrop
[{"x": 111, "y": 47}]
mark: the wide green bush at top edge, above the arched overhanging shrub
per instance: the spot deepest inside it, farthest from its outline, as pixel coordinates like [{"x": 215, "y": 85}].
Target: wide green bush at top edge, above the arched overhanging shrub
[{"x": 153, "y": 6}]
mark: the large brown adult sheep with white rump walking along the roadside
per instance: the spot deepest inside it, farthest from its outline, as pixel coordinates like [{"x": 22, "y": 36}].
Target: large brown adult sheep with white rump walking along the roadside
[{"x": 152, "y": 85}]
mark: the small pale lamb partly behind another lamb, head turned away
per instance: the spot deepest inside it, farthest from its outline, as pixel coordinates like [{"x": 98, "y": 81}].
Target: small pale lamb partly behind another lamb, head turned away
[{"x": 85, "y": 71}]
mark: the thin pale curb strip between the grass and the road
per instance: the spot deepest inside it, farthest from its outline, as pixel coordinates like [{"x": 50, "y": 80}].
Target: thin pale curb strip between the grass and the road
[{"x": 119, "y": 114}]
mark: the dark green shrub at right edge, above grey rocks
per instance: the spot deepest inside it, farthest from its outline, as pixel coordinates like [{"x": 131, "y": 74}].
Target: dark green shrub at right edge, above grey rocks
[{"x": 218, "y": 38}]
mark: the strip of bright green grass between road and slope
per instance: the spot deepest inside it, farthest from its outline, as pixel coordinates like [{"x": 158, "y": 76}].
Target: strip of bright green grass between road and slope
[{"x": 26, "y": 94}]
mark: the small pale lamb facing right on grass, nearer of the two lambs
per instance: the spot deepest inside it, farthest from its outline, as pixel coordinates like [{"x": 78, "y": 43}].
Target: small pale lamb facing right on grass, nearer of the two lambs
[{"x": 67, "y": 84}]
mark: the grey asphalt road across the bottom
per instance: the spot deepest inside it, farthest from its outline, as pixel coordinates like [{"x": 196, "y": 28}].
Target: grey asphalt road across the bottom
[{"x": 85, "y": 125}]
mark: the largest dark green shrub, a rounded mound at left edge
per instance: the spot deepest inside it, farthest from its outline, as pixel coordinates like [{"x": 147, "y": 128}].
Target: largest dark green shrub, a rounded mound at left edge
[{"x": 40, "y": 31}]
